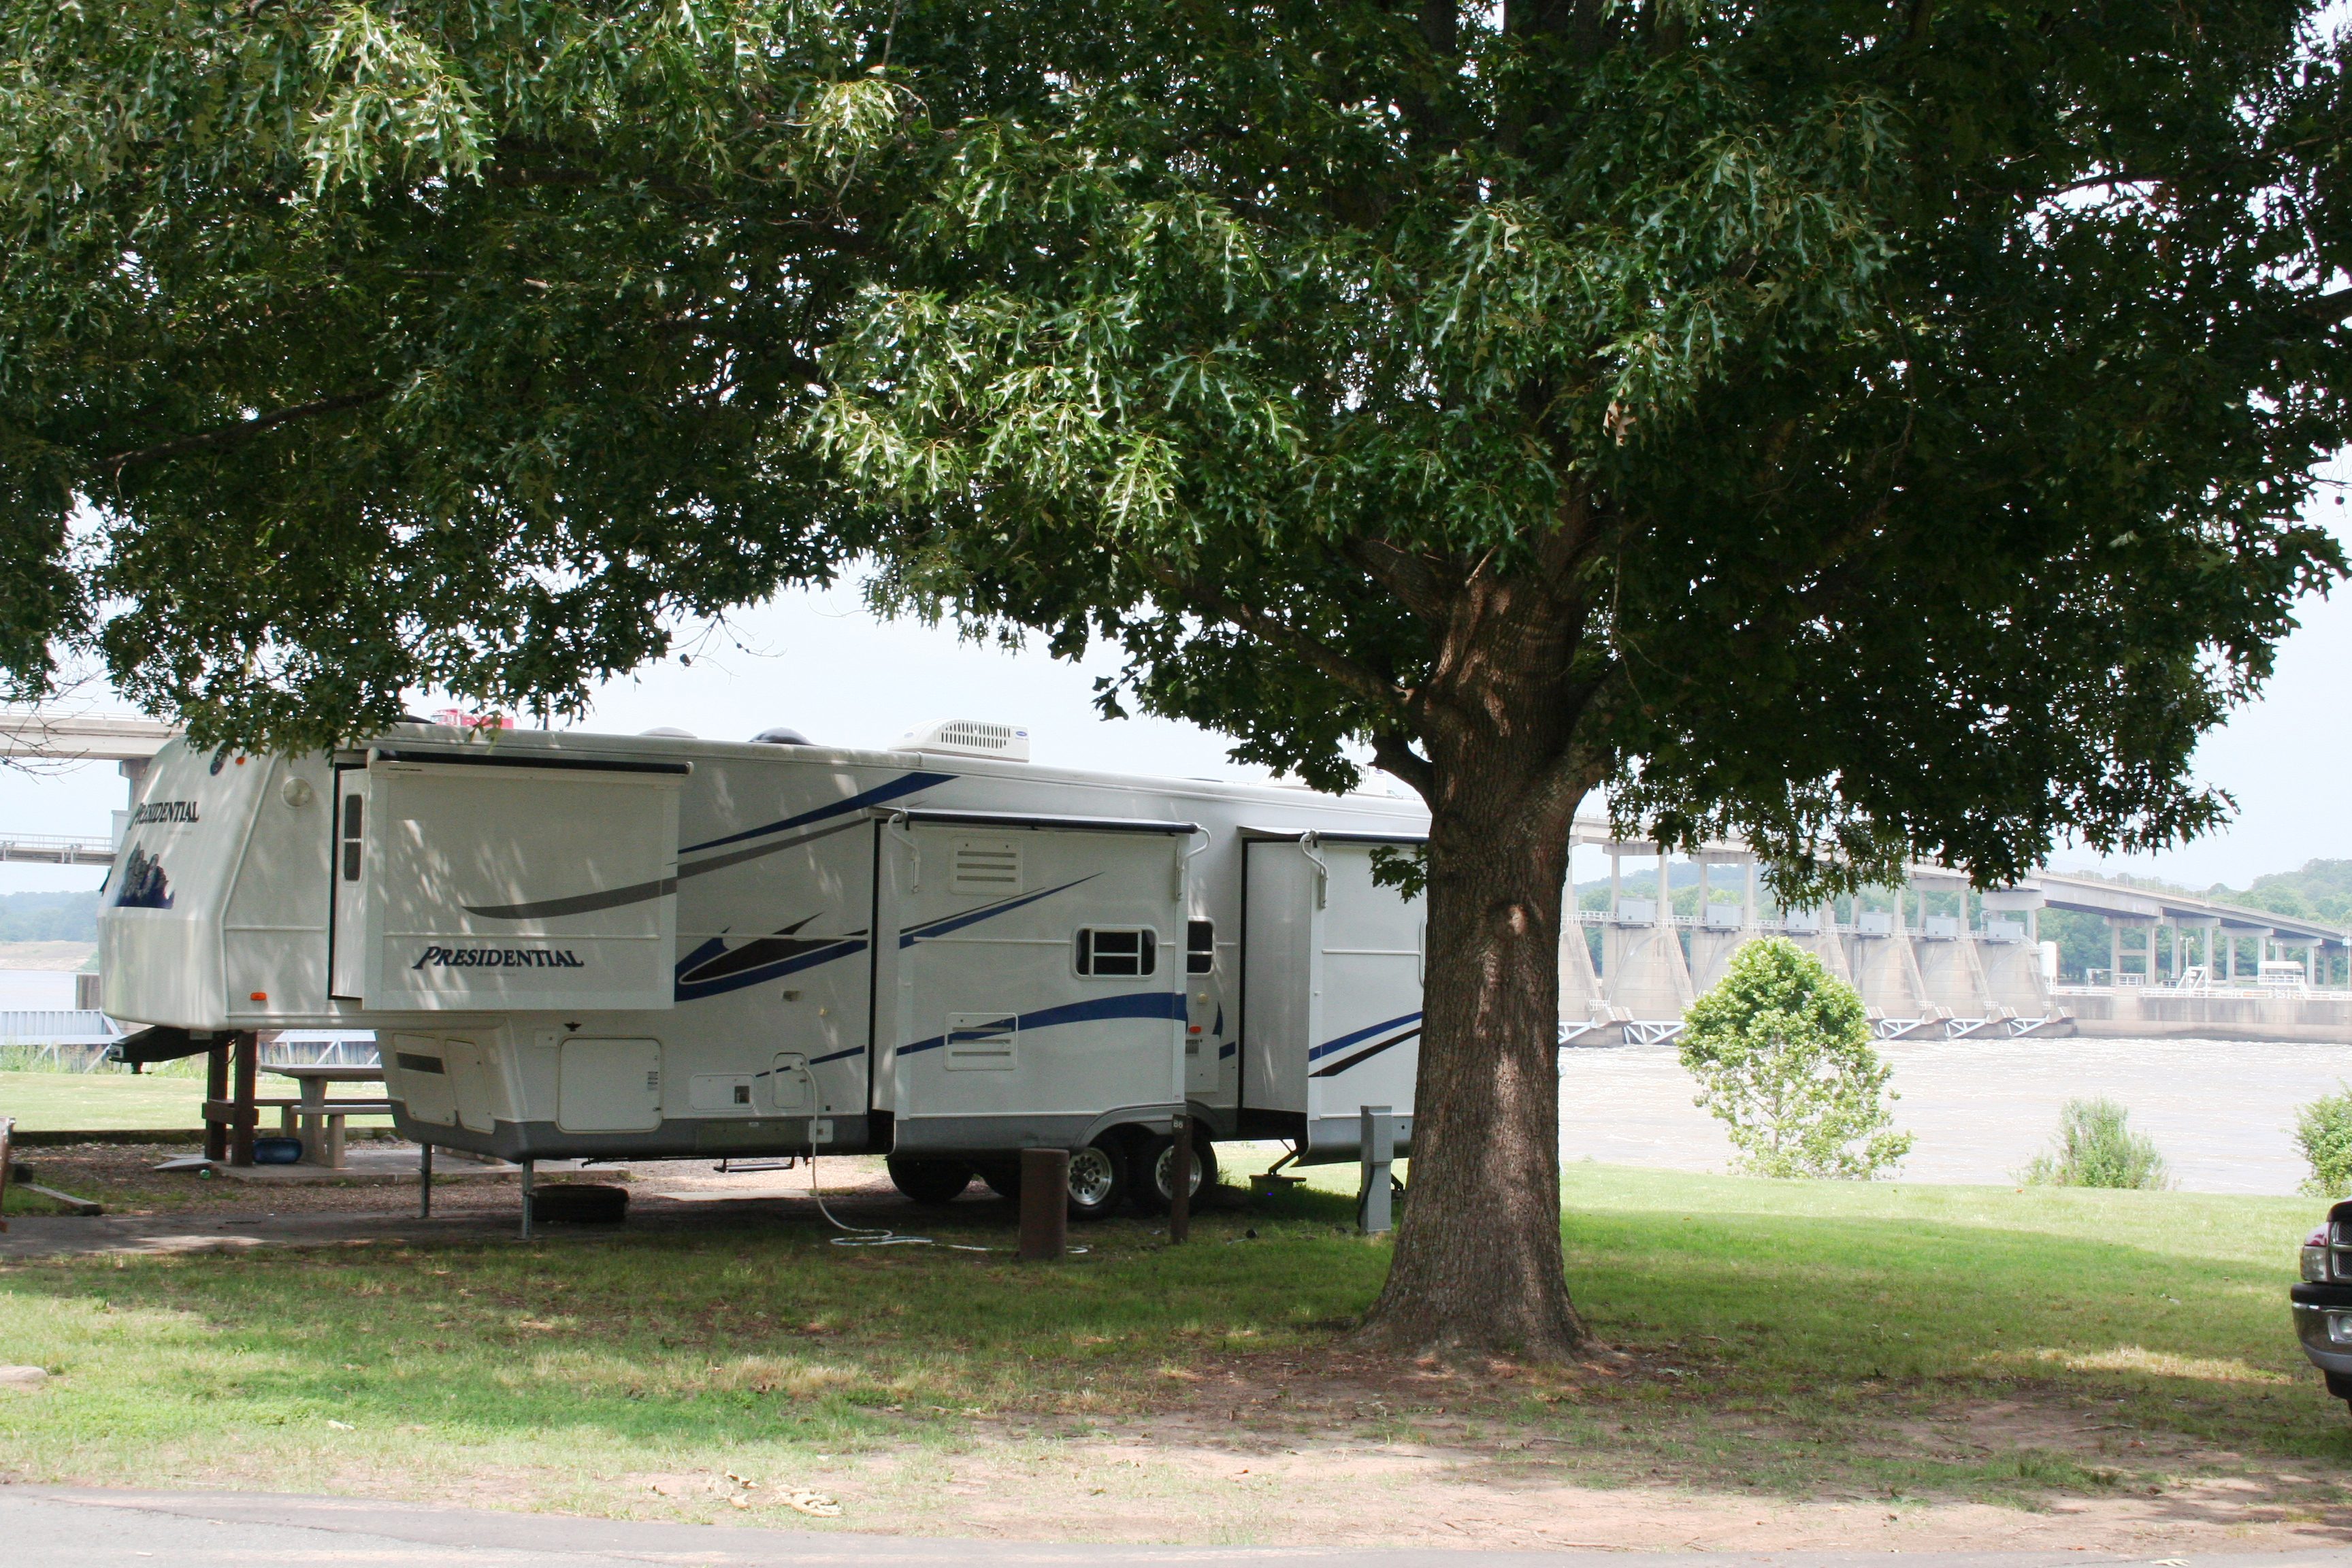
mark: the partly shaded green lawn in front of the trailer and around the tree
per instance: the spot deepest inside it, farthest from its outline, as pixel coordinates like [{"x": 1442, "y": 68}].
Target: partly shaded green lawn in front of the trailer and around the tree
[{"x": 1786, "y": 1336}]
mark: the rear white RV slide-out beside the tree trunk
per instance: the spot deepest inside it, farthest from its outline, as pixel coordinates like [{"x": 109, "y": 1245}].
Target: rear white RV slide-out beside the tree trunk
[{"x": 1332, "y": 991}]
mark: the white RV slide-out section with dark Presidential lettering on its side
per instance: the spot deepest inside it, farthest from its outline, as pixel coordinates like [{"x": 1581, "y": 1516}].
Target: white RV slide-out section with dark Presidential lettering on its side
[{"x": 521, "y": 880}]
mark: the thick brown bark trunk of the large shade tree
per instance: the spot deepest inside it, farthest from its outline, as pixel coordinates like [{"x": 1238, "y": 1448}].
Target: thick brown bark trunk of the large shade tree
[{"x": 1478, "y": 1257}]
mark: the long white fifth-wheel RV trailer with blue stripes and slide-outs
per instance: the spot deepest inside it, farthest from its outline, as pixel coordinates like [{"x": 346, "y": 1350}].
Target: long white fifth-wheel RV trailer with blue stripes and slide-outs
[{"x": 634, "y": 946}]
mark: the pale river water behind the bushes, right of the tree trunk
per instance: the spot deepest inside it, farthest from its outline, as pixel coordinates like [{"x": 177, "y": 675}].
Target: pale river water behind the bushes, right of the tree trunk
[{"x": 2221, "y": 1113}]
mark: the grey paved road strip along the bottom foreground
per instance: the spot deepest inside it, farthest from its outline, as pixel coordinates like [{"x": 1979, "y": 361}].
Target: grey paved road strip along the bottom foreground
[{"x": 60, "y": 1527}]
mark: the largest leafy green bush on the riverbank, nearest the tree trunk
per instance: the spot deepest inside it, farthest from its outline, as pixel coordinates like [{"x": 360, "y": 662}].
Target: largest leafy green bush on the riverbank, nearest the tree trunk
[{"x": 1782, "y": 1054}]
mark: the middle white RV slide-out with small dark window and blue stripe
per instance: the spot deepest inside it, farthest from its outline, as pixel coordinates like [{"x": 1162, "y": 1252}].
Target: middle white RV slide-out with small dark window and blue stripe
[{"x": 1041, "y": 979}]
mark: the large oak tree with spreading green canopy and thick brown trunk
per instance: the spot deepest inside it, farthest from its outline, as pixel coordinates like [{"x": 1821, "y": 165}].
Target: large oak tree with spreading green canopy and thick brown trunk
[{"x": 1871, "y": 429}]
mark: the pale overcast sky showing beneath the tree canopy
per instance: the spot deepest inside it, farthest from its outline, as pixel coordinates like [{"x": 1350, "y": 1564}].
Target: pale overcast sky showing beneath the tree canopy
[{"x": 827, "y": 669}]
